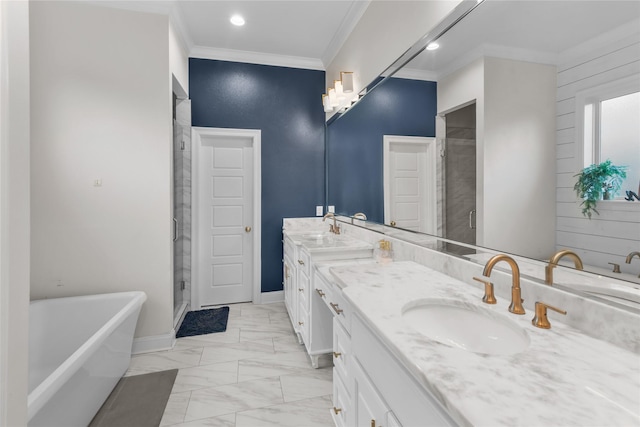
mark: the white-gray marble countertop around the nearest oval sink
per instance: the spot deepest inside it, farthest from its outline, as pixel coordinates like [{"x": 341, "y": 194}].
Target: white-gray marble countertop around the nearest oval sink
[{"x": 564, "y": 378}]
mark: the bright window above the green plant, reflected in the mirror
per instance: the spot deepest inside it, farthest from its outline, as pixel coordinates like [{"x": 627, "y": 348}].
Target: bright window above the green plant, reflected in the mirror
[{"x": 612, "y": 131}]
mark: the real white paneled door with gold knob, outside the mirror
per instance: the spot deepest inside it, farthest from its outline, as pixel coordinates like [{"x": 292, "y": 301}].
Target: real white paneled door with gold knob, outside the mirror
[{"x": 226, "y": 219}]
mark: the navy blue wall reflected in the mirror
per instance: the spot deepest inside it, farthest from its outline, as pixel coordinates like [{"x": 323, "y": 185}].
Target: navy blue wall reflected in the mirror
[{"x": 354, "y": 142}]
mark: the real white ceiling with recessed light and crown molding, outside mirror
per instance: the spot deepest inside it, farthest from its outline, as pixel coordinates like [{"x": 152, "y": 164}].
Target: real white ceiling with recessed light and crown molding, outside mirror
[{"x": 300, "y": 33}]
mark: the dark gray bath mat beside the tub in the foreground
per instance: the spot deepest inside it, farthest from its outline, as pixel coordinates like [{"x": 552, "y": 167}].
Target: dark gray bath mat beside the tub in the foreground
[{"x": 137, "y": 401}]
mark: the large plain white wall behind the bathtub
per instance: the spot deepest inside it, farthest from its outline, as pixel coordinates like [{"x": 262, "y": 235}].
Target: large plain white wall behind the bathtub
[{"x": 101, "y": 110}]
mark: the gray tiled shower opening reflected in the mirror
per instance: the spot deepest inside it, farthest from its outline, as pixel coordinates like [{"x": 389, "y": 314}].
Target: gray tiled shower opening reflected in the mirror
[{"x": 459, "y": 167}]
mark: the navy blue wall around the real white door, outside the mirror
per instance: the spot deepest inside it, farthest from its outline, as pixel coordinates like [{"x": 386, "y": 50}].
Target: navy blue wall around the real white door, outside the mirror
[{"x": 285, "y": 104}]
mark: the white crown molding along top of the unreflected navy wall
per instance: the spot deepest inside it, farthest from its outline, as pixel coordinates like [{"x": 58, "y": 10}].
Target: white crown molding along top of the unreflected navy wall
[{"x": 203, "y": 52}]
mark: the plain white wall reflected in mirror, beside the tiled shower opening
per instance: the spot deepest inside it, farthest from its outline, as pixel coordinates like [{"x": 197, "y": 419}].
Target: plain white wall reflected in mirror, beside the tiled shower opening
[{"x": 515, "y": 122}]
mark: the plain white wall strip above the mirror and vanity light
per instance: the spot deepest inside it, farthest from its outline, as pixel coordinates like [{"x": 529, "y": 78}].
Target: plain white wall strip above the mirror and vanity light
[{"x": 383, "y": 33}]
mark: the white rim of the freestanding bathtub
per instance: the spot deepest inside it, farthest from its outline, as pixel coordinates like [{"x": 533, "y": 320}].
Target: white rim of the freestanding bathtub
[{"x": 43, "y": 392}]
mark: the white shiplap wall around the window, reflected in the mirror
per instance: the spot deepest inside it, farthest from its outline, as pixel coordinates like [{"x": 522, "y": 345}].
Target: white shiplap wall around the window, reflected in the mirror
[{"x": 613, "y": 234}]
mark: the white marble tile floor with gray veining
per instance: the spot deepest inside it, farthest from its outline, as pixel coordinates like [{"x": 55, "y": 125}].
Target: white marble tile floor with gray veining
[{"x": 253, "y": 374}]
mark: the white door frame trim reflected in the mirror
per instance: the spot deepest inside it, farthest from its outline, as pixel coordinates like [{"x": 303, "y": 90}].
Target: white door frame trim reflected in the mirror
[{"x": 431, "y": 189}]
